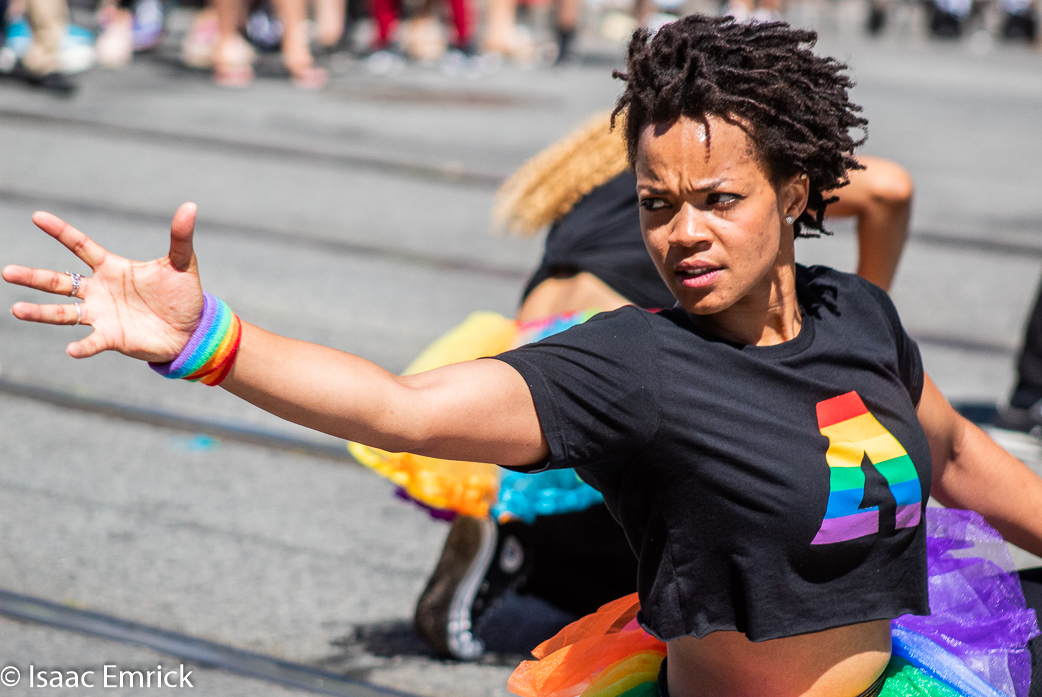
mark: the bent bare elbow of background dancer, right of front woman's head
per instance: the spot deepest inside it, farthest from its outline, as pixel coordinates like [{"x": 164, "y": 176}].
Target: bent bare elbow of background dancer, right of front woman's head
[{"x": 881, "y": 197}]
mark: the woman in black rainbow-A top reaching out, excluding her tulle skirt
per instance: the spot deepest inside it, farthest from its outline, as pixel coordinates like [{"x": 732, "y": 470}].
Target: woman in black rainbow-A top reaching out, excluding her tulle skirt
[{"x": 726, "y": 434}]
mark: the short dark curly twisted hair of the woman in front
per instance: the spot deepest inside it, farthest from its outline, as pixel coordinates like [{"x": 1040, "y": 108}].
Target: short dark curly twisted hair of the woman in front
[{"x": 763, "y": 78}]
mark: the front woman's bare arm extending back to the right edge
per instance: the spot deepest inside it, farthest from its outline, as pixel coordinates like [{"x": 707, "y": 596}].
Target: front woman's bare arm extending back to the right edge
[{"x": 971, "y": 471}]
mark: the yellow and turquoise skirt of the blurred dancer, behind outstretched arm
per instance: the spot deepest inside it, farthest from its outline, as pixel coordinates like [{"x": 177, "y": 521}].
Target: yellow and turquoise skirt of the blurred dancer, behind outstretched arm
[{"x": 446, "y": 488}]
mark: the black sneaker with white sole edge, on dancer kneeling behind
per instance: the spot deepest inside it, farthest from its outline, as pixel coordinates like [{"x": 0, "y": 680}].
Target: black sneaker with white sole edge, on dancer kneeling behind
[{"x": 481, "y": 562}]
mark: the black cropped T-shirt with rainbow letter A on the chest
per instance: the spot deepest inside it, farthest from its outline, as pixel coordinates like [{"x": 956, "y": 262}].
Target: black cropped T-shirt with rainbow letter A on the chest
[{"x": 773, "y": 490}]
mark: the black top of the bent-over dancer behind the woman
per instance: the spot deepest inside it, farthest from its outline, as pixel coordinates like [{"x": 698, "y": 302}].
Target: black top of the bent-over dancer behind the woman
[{"x": 602, "y": 235}]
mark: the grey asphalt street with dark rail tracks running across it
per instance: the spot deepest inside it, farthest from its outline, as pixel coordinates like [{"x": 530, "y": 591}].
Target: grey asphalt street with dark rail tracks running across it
[{"x": 359, "y": 218}]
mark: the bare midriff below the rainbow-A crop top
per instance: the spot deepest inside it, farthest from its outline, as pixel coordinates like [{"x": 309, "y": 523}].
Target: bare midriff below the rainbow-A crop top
[{"x": 843, "y": 662}]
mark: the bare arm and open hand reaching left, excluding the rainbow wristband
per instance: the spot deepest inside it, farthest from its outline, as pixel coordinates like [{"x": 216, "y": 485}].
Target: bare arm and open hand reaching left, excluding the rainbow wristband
[{"x": 480, "y": 411}]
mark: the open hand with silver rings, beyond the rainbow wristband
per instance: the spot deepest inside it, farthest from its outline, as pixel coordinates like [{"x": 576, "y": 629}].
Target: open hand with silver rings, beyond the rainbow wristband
[{"x": 144, "y": 310}]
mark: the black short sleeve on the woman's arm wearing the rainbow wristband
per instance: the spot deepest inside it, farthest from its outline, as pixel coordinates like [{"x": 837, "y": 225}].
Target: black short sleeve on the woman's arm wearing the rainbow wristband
[{"x": 596, "y": 389}]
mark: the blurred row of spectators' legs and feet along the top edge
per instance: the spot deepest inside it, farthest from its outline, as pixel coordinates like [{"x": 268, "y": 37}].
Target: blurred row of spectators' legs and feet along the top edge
[{"x": 44, "y": 49}]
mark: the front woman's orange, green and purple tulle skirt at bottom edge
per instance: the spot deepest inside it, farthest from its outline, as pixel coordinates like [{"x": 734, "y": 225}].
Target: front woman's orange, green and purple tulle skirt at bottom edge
[{"x": 974, "y": 644}]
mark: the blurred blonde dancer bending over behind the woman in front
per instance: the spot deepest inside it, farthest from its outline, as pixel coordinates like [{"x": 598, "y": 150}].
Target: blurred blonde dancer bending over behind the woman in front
[{"x": 519, "y": 533}]
